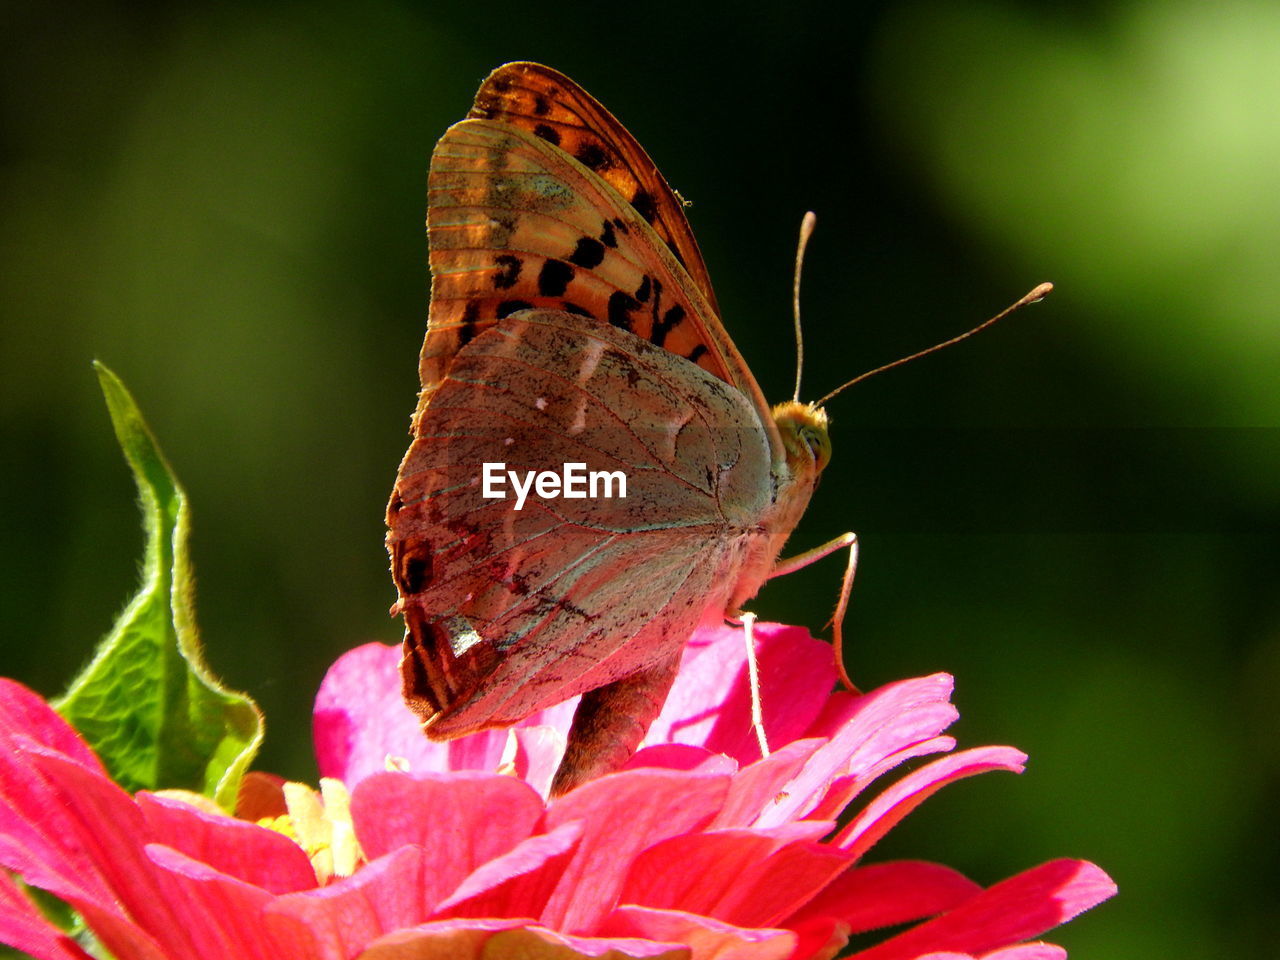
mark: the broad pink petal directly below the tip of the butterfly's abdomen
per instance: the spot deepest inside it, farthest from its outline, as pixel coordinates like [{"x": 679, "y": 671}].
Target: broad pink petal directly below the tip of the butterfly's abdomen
[{"x": 624, "y": 813}]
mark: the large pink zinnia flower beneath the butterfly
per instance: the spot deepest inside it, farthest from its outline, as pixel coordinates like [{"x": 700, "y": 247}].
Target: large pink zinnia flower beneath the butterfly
[{"x": 700, "y": 849}]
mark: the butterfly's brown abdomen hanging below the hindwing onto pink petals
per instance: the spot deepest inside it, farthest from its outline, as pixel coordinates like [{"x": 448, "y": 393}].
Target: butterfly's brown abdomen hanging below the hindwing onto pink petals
[{"x": 610, "y": 724}]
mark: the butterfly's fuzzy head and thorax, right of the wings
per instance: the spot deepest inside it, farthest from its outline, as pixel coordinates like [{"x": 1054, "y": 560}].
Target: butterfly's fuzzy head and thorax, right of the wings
[{"x": 806, "y": 451}]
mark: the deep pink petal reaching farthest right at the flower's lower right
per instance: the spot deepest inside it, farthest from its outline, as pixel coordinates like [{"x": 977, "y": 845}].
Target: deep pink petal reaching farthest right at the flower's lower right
[{"x": 1008, "y": 913}]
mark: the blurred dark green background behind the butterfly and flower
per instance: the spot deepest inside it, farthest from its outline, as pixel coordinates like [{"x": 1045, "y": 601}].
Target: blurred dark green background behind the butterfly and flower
[{"x": 1077, "y": 514}]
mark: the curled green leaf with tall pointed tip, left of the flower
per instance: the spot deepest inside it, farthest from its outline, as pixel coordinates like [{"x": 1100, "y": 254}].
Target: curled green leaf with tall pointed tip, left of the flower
[{"x": 148, "y": 702}]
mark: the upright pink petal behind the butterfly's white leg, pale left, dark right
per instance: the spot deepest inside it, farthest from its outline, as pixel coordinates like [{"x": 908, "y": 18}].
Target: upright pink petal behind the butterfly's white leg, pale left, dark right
[{"x": 711, "y": 702}]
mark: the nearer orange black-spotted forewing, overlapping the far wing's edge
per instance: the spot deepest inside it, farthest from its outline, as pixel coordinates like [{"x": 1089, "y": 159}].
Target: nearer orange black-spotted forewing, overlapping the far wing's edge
[{"x": 515, "y": 223}]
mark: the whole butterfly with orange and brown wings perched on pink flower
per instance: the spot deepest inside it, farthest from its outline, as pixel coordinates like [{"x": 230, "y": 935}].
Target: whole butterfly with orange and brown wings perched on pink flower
[{"x": 573, "y": 322}]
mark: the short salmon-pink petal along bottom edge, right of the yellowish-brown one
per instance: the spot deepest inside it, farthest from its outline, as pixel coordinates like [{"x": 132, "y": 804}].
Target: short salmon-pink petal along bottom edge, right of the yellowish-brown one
[{"x": 707, "y": 939}]
